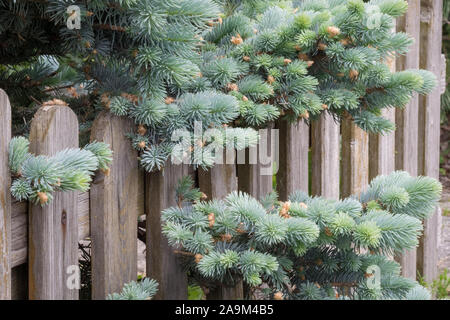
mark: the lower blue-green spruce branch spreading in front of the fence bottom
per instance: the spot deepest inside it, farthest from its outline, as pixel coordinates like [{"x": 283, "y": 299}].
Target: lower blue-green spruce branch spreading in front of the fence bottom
[{"x": 324, "y": 248}]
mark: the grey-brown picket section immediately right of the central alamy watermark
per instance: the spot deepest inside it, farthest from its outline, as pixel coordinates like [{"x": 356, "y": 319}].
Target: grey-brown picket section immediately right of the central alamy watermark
[{"x": 292, "y": 172}]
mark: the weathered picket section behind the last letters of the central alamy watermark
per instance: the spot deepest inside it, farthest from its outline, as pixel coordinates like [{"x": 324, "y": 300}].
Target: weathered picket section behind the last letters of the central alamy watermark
[{"x": 255, "y": 174}]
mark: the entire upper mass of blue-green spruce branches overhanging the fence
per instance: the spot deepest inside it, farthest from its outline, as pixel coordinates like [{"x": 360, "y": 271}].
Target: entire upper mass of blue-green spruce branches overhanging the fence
[{"x": 169, "y": 63}]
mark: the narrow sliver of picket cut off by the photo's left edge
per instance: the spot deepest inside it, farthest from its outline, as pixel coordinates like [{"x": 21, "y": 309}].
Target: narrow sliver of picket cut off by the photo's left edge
[{"x": 5, "y": 198}]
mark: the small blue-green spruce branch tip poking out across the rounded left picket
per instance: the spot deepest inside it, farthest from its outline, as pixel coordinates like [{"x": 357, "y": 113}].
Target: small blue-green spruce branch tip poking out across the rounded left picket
[{"x": 38, "y": 177}]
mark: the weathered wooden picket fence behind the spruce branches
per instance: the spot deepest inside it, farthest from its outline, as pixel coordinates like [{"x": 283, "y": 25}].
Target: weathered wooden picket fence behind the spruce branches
[{"x": 37, "y": 245}]
